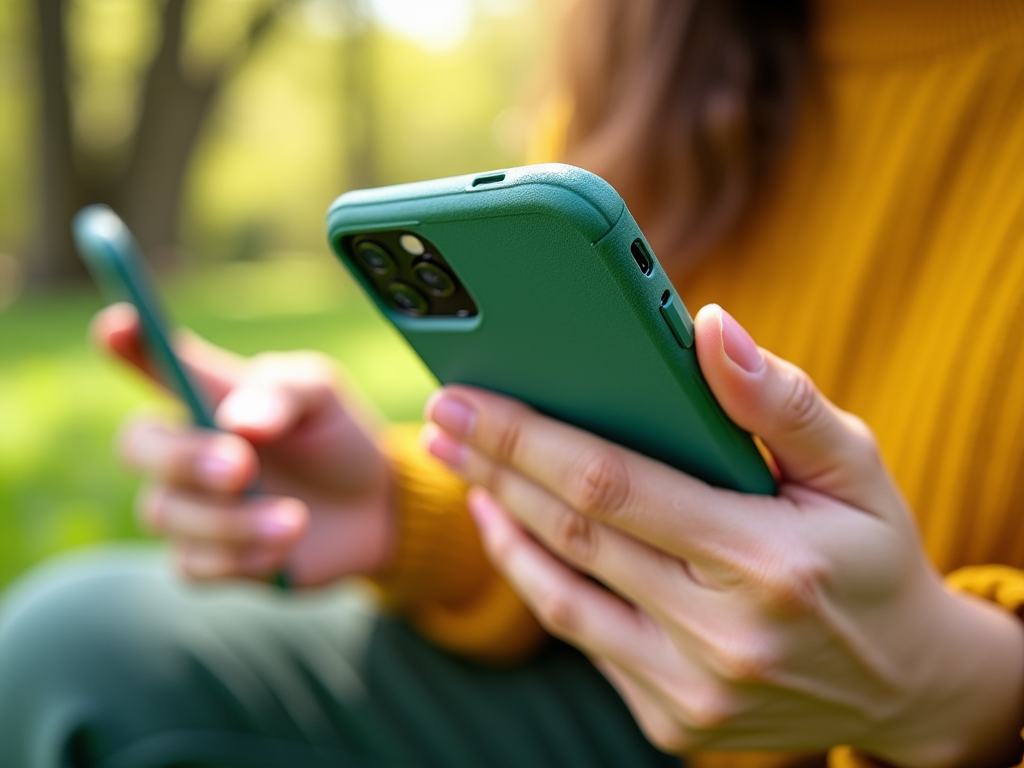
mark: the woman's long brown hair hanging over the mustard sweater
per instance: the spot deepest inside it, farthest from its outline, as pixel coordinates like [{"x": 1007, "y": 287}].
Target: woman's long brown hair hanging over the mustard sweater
[{"x": 685, "y": 106}]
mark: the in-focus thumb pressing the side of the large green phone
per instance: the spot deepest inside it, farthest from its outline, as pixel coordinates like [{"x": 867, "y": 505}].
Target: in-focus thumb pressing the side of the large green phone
[{"x": 816, "y": 444}]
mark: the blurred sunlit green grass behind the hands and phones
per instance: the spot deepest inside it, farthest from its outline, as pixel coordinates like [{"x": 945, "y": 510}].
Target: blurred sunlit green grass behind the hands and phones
[{"x": 62, "y": 401}]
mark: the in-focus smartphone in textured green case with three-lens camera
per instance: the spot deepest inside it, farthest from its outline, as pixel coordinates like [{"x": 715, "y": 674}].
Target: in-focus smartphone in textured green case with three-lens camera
[{"x": 537, "y": 283}]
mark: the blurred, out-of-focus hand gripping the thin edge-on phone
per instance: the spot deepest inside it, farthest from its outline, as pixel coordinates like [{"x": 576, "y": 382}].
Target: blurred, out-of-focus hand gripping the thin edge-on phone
[{"x": 323, "y": 510}]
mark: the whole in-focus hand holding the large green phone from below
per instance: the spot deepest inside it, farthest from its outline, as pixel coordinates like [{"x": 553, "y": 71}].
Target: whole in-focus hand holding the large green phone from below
[{"x": 737, "y": 622}]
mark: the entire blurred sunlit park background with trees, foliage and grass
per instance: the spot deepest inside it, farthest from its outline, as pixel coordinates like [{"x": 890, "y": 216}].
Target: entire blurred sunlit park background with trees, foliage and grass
[{"x": 290, "y": 103}]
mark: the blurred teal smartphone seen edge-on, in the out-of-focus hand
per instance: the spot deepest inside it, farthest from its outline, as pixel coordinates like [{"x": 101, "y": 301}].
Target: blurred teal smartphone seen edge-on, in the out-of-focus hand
[{"x": 115, "y": 261}]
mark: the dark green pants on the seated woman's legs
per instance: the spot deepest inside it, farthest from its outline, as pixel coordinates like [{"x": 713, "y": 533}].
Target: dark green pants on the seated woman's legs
[{"x": 107, "y": 660}]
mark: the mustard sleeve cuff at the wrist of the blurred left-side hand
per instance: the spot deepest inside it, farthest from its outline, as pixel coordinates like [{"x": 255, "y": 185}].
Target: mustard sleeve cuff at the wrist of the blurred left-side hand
[{"x": 440, "y": 577}]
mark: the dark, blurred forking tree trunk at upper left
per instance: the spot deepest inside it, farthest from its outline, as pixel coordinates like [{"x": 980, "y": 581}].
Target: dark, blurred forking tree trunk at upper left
[{"x": 148, "y": 192}]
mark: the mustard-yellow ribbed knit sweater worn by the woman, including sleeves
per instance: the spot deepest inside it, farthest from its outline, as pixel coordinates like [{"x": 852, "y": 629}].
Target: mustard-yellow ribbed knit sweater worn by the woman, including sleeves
[{"x": 886, "y": 260}]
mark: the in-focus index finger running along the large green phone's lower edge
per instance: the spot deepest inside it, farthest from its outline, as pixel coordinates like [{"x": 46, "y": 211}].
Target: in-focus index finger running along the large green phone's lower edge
[{"x": 645, "y": 498}]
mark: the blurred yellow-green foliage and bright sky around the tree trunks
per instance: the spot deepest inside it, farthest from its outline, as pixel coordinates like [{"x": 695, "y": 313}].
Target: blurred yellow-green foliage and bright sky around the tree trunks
[{"x": 275, "y": 151}]
